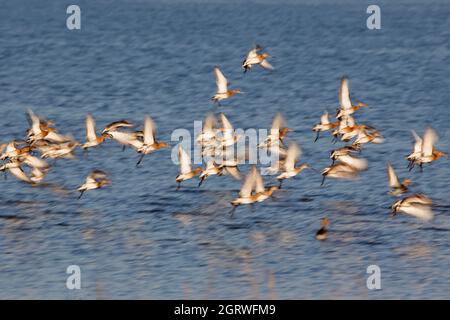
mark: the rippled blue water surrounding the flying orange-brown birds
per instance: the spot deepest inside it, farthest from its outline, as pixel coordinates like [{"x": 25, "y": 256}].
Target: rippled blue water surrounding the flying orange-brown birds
[{"x": 139, "y": 238}]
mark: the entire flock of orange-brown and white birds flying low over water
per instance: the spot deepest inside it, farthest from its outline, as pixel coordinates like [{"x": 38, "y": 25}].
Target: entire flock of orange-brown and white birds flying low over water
[{"x": 26, "y": 160}]
